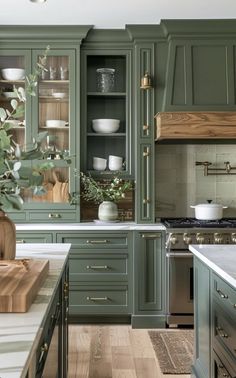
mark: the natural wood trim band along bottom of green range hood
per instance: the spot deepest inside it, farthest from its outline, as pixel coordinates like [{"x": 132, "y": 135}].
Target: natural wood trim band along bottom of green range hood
[{"x": 195, "y": 125}]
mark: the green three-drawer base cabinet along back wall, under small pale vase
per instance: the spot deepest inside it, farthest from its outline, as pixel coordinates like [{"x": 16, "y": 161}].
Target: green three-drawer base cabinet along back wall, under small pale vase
[{"x": 100, "y": 280}]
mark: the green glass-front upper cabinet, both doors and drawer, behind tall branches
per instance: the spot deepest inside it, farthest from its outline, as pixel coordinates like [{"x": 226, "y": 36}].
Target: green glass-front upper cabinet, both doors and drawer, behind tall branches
[{"x": 53, "y": 111}]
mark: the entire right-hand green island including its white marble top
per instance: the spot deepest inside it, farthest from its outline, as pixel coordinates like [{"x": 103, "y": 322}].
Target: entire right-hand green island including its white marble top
[{"x": 214, "y": 310}]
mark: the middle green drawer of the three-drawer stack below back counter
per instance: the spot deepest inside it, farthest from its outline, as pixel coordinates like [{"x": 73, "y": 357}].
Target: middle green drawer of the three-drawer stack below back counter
[{"x": 99, "y": 267}]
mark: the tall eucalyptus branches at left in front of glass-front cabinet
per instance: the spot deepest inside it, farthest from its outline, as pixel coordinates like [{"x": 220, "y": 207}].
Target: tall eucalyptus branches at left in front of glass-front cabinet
[{"x": 13, "y": 174}]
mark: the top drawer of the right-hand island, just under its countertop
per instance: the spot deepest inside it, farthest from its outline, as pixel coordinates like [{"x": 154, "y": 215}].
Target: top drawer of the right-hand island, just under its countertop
[{"x": 224, "y": 294}]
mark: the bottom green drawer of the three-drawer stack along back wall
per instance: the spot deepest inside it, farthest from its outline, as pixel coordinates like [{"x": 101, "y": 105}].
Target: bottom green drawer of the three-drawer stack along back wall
[{"x": 98, "y": 299}]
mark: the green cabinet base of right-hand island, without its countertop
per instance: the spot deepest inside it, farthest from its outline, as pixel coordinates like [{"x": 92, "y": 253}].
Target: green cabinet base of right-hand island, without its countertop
[{"x": 214, "y": 324}]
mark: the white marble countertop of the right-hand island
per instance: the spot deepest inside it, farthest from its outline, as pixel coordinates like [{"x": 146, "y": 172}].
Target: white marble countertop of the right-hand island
[{"x": 220, "y": 258}]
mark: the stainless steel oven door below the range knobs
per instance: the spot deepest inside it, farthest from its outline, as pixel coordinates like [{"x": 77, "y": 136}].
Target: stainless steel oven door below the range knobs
[{"x": 180, "y": 286}]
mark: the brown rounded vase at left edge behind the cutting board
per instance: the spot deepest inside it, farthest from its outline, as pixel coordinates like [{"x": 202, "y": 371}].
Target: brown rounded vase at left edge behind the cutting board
[{"x": 7, "y": 238}]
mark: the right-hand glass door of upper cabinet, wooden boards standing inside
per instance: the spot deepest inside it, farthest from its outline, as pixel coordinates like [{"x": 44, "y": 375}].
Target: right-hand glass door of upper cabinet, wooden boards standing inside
[{"x": 53, "y": 112}]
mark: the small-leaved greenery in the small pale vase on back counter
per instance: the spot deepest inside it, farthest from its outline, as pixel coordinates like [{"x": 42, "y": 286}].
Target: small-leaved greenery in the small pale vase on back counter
[{"x": 108, "y": 190}]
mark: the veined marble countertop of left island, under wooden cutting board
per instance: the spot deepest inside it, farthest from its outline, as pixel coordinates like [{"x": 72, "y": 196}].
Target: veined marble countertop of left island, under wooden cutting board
[{"x": 20, "y": 333}]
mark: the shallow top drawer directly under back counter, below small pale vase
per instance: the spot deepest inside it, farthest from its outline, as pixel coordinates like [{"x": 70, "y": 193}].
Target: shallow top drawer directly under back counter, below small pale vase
[{"x": 95, "y": 240}]
